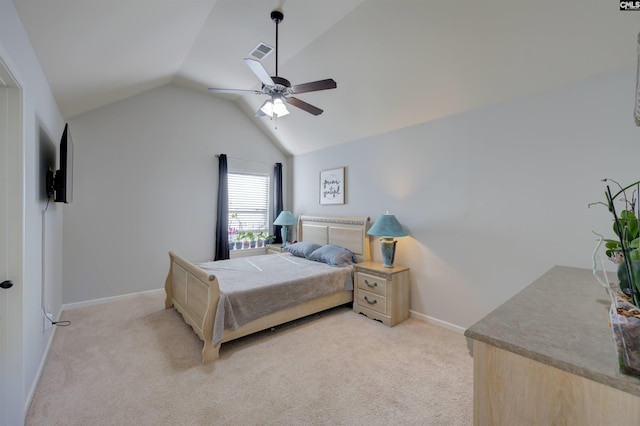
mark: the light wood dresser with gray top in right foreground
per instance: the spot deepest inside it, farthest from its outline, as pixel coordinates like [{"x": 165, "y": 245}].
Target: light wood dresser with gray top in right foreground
[{"x": 547, "y": 357}]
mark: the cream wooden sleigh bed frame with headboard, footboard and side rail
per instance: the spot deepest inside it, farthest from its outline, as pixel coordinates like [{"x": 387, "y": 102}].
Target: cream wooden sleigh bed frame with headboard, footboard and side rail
[{"x": 195, "y": 292}]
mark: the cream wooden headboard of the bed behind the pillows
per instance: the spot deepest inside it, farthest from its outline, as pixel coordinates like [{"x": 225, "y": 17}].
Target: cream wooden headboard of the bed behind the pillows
[{"x": 345, "y": 231}]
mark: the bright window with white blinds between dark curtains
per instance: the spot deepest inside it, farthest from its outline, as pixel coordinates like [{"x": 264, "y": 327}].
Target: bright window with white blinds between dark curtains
[{"x": 248, "y": 203}]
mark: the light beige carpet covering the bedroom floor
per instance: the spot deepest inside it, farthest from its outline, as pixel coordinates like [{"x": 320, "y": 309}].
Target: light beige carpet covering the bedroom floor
[{"x": 131, "y": 362}]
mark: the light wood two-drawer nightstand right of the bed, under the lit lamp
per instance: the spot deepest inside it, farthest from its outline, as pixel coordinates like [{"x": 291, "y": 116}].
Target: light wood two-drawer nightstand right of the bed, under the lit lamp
[{"x": 381, "y": 293}]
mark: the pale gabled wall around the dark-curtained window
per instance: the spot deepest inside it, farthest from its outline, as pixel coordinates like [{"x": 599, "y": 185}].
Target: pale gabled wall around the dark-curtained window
[{"x": 145, "y": 183}]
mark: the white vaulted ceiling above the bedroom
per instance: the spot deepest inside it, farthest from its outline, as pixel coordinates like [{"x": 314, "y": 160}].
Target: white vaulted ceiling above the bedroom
[{"x": 397, "y": 63}]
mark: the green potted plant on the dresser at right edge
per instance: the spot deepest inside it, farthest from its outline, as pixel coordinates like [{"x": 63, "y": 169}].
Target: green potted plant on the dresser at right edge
[{"x": 624, "y": 250}]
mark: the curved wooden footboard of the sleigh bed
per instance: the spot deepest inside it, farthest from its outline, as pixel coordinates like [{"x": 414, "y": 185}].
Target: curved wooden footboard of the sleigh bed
[{"x": 195, "y": 294}]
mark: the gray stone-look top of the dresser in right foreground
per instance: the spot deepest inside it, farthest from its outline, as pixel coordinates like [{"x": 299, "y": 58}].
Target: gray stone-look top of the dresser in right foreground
[{"x": 562, "y": 320}]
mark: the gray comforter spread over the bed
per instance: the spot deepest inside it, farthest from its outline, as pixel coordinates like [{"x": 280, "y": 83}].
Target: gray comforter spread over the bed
[{"x": 252, "y": 287}]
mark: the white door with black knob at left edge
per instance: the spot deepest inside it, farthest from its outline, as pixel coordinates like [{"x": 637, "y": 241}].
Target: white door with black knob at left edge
[{"x": 11, "y": 251}]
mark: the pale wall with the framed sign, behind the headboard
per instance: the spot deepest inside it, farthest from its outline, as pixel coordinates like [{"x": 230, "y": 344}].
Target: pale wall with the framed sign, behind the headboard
[{"x": 493, "y": 197}]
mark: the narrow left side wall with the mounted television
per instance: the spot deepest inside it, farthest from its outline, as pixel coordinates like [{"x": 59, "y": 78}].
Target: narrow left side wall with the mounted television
[{"x": 42, "y": 127}]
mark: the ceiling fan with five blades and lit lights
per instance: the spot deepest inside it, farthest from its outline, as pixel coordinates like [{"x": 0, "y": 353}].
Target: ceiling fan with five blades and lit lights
[{"x": 278, "y": 88}]
